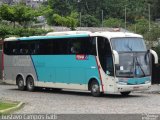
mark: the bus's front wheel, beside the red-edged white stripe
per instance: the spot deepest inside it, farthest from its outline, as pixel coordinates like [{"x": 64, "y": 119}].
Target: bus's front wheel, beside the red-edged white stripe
[{"x": 95, "y": 89}]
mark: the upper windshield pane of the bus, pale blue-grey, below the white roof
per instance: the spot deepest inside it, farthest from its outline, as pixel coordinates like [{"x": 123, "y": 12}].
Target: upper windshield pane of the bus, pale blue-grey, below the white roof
[{"x": 128, "y": 44}]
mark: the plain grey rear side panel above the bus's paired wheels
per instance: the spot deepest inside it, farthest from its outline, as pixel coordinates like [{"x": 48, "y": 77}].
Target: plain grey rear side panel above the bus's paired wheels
[{"x": 14, "y": 65}]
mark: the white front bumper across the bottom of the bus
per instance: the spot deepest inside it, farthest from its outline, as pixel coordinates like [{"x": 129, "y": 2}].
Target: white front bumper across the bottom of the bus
[{"x": 140, "y": 87}]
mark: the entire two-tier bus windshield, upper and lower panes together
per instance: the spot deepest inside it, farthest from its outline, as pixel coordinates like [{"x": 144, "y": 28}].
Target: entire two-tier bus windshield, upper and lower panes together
[{"x": 133, "y": 57}]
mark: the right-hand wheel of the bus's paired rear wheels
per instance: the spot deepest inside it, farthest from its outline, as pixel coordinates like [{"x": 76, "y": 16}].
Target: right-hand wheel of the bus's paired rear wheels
[{"x": 30, "y": 84}]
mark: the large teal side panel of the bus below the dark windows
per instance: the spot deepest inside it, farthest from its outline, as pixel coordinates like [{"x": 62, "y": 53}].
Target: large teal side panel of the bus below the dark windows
[{"x": 65, "y": 69}]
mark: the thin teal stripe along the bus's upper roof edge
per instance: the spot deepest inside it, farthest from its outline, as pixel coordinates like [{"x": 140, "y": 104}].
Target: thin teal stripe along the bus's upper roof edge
[{"x": 52, "y": 37}]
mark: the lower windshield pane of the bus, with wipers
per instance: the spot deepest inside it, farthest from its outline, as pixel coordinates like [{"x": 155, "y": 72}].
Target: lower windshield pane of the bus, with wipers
[{"x": 133, "y": 65}]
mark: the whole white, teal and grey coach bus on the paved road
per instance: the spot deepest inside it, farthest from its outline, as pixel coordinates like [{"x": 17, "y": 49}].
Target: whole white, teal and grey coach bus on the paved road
[{"x": 100, "y": 62}]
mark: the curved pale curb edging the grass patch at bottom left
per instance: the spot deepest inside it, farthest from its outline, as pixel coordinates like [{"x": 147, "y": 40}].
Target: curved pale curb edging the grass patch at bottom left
[{"x": 12, "y": 108}]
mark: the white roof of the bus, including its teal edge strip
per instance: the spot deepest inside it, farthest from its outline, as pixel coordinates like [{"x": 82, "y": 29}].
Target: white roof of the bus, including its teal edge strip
[{"x": 73, "y": 34}]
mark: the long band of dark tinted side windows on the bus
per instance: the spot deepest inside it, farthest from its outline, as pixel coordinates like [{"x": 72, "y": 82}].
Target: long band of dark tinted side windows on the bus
[{"x": 86, "y": 45}]
